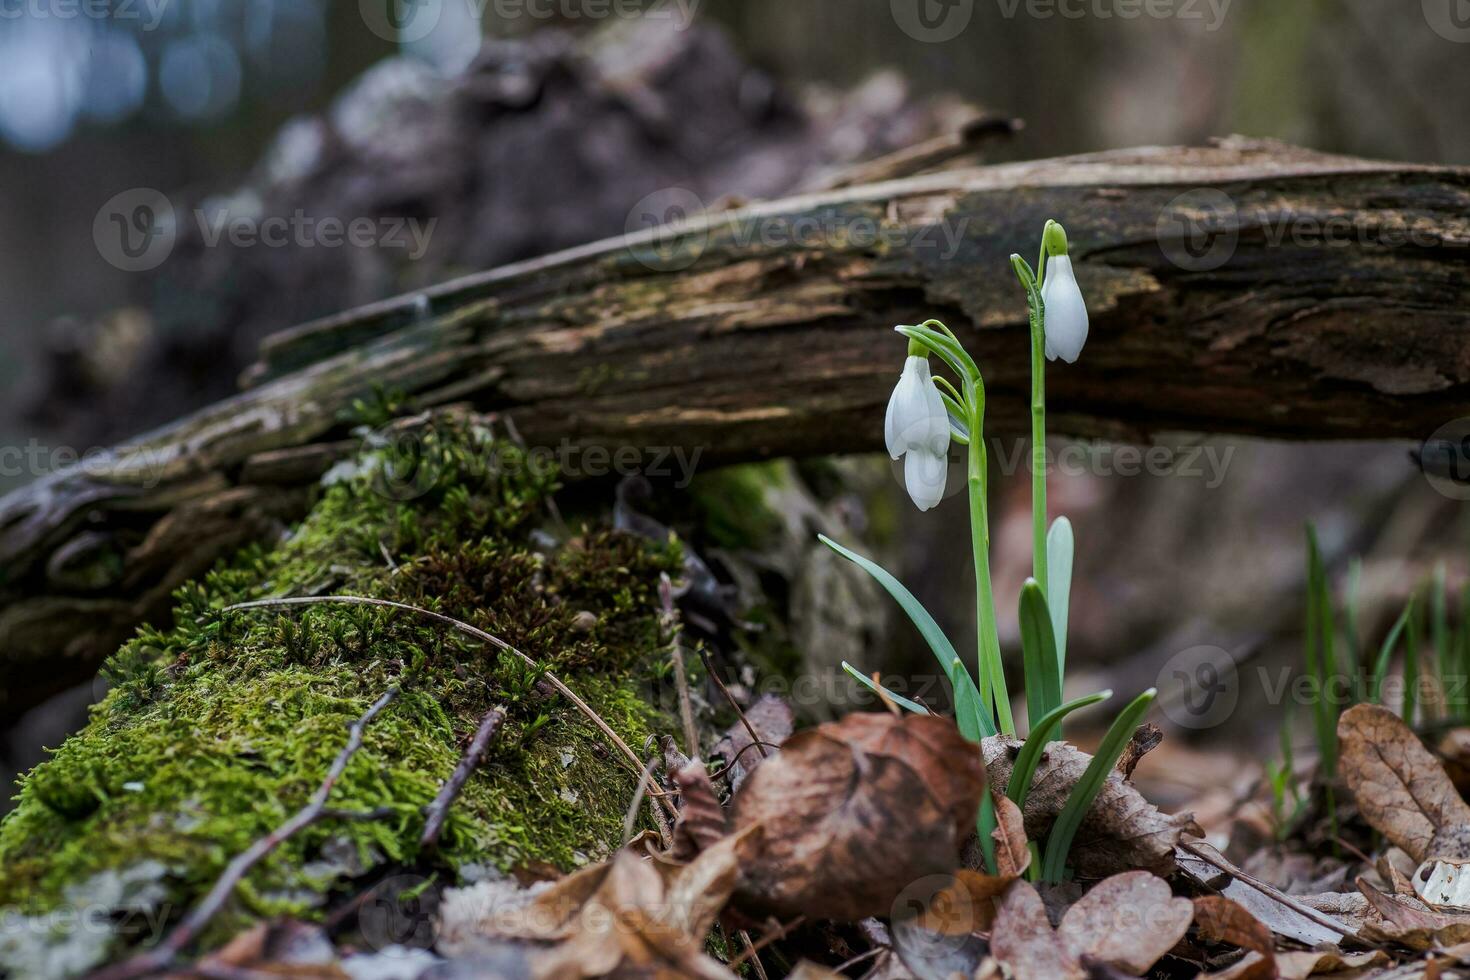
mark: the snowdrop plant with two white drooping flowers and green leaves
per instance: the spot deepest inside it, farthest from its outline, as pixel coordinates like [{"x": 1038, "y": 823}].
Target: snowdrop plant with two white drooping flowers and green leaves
[{"x": 927, "y": 415}]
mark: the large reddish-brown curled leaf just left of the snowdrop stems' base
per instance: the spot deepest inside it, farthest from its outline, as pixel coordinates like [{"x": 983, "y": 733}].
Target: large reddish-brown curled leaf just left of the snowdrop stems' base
[{"x": 855, "y": 812}]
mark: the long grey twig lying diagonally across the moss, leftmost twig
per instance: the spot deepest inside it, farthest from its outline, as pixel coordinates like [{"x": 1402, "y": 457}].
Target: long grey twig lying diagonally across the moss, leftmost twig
[{"x": 161, "y": 957}]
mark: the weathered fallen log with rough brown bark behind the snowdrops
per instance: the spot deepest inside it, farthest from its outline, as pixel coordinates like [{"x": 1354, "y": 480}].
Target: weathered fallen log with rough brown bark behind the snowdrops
[{"x": 1337, "y": 309}]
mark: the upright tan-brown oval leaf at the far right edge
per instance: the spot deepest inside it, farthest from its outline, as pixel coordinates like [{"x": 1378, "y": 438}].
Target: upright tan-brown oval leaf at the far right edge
[{"x": 1400, "y": 787}]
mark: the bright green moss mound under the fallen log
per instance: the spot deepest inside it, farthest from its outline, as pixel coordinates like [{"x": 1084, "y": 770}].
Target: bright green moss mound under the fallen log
[{"x": 220, "y": 728}]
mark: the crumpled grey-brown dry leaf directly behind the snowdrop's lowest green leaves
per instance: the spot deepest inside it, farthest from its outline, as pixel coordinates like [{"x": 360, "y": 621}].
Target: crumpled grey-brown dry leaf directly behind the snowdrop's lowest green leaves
[{"x": 1124, "y": 832}]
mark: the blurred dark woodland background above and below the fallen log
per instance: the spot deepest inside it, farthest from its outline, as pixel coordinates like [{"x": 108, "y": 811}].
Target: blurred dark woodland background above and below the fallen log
[{"x": 520, "y": 127}]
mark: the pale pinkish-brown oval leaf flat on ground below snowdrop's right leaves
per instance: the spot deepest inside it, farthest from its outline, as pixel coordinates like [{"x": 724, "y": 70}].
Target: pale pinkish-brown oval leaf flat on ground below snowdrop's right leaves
[{"x": 1127, "y": 922}]
